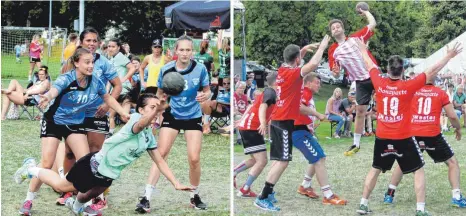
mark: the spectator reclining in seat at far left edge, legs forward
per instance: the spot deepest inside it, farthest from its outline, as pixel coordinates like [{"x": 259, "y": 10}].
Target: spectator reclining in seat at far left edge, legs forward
[{"x": 18, "y": 95}]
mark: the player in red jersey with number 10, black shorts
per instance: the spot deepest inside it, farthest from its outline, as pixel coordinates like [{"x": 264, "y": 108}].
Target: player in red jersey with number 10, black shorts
[{"x": 426, "y": 109}]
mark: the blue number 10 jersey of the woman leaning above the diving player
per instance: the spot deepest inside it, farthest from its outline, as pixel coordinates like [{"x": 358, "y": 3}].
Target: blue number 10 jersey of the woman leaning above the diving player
[{"x": 72, "y": 101}]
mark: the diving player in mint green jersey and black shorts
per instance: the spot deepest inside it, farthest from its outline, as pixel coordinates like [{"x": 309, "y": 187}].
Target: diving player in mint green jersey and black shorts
[{"x": 95, "y": 172}]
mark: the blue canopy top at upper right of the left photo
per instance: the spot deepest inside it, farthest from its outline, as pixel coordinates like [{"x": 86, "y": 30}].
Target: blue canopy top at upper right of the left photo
[{"x": 198, "y": 15}]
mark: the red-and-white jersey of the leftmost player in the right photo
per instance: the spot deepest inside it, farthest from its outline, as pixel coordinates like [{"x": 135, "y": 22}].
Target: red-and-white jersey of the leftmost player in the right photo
[{"x": 250, "y": 119}]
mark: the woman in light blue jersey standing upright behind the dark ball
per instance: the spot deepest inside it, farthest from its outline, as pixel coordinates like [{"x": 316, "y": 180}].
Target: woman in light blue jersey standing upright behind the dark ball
[{"x": 182, "y": 113}]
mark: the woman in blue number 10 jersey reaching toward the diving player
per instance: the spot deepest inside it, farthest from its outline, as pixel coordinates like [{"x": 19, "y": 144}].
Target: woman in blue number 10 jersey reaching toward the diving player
[{"x": 73, "y": 92}]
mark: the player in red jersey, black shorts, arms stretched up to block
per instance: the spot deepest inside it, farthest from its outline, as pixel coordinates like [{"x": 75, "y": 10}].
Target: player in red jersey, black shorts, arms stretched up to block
[{"x": 289, "y": 86}]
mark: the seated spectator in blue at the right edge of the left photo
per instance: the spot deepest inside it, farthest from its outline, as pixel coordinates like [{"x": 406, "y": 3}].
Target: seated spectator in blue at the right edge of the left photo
[{"x": 220, "y": 103}]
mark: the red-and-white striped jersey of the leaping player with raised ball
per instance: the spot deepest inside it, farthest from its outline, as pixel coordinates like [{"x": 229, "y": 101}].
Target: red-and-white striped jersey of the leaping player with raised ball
[{"x": 348, "y": 56}]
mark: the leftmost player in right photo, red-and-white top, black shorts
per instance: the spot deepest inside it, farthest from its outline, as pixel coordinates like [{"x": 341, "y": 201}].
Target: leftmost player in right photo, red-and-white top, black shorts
[{"x": 253, "y": 127}]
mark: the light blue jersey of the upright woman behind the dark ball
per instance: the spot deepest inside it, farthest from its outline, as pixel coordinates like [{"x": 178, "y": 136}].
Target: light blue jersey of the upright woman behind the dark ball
[{"x": 184, "y": 106}]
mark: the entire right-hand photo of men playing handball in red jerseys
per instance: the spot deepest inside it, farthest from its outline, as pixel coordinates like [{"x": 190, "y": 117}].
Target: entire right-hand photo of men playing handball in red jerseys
[{"x": 336, "y": 102}]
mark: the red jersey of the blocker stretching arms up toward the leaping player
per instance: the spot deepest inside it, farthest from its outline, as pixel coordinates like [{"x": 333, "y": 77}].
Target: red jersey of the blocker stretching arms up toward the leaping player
[{"x": 289, "y": 86}]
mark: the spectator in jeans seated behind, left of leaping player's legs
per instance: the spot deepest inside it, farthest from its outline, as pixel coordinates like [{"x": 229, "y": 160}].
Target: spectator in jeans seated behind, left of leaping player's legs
[{"x": 333, "y": 113}]
